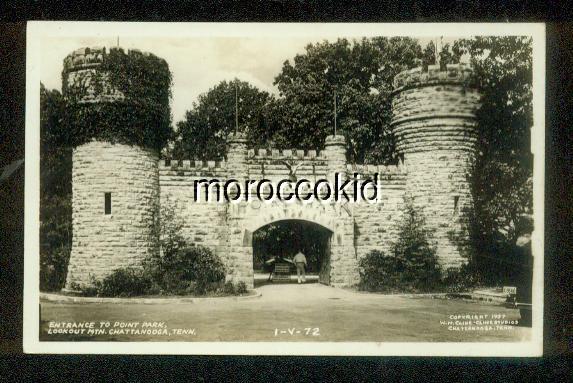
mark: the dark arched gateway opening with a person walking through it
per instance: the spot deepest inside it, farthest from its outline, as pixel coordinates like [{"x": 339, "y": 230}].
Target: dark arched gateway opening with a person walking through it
[{"x": 283, "y": 239}]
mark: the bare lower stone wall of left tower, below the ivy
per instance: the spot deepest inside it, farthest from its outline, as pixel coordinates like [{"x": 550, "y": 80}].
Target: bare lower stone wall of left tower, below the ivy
[{"x": 102, "y": 242}]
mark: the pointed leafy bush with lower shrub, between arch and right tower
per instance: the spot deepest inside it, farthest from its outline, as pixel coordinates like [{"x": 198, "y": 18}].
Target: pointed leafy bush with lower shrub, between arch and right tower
[{"x": 412, "y": 264}]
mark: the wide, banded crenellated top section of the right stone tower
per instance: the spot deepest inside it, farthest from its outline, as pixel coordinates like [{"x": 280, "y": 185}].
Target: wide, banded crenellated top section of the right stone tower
[{"x": 435, "y": 110}]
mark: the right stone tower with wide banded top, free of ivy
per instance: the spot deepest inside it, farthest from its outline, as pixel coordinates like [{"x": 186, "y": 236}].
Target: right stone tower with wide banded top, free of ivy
[{"x": 436, "y": 131}]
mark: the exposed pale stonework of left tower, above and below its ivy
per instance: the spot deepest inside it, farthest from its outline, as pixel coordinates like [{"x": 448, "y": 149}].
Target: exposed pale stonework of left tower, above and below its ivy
[{"x": 115, "y": 192}]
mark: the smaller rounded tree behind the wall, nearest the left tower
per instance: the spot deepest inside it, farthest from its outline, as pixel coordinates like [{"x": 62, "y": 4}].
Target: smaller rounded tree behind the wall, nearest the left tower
[{"x": 203, "y": 133}]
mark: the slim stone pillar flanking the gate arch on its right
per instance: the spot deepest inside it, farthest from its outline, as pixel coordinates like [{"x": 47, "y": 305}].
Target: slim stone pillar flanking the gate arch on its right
[{"x": 343, "y": 263}]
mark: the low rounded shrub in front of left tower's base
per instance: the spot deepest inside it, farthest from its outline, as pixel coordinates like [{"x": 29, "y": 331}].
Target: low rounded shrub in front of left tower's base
[{"x": 124, "y": 282}]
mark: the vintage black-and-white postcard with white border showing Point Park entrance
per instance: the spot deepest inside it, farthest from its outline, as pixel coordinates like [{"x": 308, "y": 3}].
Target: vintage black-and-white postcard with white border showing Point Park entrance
[{"x": 284, "y": 189}]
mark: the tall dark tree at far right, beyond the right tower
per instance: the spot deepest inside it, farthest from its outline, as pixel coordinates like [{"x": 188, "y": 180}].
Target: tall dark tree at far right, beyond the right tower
[{"x": 501, "y": 180}]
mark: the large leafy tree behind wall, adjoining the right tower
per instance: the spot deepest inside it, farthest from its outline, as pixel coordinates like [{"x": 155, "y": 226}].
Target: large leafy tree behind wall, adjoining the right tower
[{"x": 361, "y": 72}]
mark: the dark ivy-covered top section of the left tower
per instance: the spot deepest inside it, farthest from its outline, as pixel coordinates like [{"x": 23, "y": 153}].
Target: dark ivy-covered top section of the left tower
[{"x": 124, "y": 99}]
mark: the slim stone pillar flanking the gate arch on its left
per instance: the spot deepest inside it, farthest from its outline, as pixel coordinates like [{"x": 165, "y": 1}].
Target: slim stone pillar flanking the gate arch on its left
[{"x": 239, "y": 260}]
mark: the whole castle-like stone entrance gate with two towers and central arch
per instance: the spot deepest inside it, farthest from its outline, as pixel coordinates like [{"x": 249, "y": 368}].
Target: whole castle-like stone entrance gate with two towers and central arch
[{"x": 435, "y": 128}]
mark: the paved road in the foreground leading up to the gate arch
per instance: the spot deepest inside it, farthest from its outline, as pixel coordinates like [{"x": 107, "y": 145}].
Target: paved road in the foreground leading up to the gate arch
[{"x": 339, "y": 315}]
